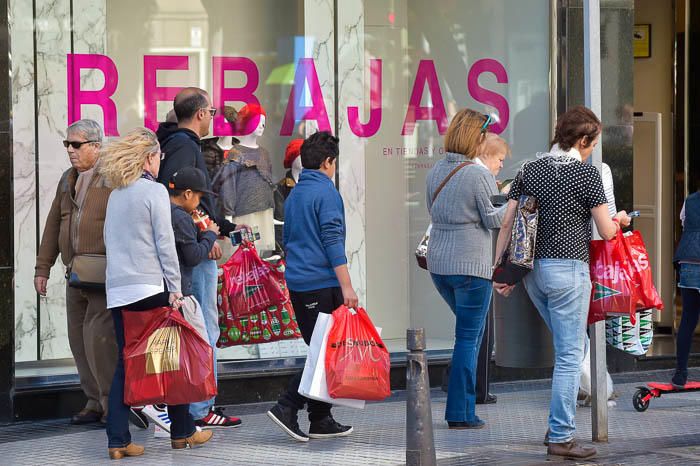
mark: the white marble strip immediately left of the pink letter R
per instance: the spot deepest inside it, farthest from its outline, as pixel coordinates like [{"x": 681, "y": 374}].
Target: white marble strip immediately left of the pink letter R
[{"x": 52, "y": 45}]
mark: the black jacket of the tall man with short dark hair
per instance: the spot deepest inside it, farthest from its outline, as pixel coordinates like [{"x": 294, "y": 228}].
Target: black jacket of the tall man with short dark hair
[{"x": 182, "y": 149}]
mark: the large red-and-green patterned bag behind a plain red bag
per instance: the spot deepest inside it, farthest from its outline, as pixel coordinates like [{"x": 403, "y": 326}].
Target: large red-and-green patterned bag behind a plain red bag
[{"x": 276, "y": 322}]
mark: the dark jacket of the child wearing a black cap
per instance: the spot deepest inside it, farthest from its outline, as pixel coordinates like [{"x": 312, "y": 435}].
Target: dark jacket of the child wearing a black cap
[{"x": 192, "y": 245}]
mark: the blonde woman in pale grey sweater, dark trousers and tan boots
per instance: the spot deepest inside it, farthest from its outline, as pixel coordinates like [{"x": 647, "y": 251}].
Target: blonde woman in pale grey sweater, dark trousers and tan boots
[{"x": 142, "y": 270}]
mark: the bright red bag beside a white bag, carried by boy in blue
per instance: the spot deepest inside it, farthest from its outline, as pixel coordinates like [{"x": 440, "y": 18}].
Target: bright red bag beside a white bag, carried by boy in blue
[{"x": 357, "y": 361}]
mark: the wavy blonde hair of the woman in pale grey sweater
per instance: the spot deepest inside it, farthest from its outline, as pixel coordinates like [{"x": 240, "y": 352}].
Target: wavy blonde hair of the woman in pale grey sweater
[{"x": 121, "y": 161}]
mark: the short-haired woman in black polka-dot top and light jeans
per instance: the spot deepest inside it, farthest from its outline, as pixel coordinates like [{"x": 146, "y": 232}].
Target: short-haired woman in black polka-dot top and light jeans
[{"x": 569, "y": 193}]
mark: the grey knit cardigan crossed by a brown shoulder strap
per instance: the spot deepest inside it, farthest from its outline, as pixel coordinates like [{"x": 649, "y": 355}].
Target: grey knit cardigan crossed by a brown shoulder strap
[{"x": 460, "y": 241}]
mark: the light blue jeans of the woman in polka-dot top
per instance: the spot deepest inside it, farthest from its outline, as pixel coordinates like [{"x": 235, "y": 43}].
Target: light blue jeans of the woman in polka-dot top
[{"x": 560, "y": 289}]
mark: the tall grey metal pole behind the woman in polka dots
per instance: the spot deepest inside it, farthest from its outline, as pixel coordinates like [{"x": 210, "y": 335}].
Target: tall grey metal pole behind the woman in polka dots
[{"x": 592, "y": 77}]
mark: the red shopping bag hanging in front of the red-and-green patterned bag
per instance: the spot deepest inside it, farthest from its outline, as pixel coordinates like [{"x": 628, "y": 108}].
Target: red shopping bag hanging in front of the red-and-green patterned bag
[{"x": 251, "y": 283}]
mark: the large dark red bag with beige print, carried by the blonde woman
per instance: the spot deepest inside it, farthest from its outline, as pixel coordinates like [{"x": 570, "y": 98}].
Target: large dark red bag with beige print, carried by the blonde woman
[{"x": 165, "y": 359}]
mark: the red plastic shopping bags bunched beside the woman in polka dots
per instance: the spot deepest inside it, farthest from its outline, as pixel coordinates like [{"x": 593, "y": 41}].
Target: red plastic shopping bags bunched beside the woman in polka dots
[{"x": 621, "y": 278}]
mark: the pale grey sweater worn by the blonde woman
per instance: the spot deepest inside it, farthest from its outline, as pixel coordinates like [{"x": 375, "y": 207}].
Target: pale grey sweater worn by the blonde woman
[{"x": 139, "y": 237}]
